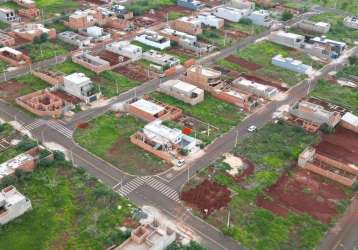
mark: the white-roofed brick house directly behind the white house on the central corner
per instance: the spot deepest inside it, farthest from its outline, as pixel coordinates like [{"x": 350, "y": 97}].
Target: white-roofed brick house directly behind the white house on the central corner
[{"x": 150, "y": 110}]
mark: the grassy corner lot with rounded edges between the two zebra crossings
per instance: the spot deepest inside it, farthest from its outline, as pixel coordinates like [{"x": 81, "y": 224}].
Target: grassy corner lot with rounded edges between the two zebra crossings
[{"x": 108, "y": 137}]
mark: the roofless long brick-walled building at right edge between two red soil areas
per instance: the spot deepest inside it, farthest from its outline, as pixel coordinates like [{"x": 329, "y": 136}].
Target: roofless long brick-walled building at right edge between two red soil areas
[{"x": 345, "y": 174}]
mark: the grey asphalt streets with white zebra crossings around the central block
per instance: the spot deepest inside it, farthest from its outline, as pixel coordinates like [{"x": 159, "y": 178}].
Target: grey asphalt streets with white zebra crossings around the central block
[{"x": 162, "y": 191}]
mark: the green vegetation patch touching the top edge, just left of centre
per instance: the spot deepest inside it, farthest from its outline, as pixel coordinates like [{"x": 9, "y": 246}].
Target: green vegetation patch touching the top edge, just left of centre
[{"x": 140, "y": 6}]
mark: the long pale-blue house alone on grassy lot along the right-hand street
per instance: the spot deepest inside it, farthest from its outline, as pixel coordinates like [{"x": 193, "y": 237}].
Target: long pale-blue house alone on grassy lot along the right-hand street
[{"x": 292, "y": 64}]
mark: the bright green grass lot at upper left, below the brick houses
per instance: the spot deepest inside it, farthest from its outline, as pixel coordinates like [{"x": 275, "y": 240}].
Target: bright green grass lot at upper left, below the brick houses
[{"x": 42, "y": 51}]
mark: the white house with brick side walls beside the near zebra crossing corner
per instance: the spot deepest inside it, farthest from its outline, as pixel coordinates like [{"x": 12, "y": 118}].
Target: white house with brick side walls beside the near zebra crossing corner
[{"x": 166, "y": 143}]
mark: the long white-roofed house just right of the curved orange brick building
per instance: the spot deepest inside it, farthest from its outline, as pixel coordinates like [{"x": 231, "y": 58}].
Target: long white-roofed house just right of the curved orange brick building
[{"x": 255, "y": 88}]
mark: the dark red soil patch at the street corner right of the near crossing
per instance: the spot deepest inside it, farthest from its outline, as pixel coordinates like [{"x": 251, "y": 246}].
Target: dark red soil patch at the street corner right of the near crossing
[{"x": 208, "y": 196}]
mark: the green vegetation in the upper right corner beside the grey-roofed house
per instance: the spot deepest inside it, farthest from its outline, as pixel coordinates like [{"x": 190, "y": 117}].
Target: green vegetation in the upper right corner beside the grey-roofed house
[{"x": 338, "y": 31}]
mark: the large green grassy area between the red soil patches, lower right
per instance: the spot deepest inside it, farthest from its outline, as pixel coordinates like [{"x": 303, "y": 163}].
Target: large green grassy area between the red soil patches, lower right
[{"x": 273, "y": 150}]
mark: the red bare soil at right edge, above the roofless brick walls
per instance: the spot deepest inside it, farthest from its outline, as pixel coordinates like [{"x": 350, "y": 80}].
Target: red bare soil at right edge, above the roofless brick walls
[{"x": 342, "y": 145}]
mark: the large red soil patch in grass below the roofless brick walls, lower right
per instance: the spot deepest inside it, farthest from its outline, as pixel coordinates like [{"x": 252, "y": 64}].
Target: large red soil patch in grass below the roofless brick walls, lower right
[{"x": 303, "y": 192}]
